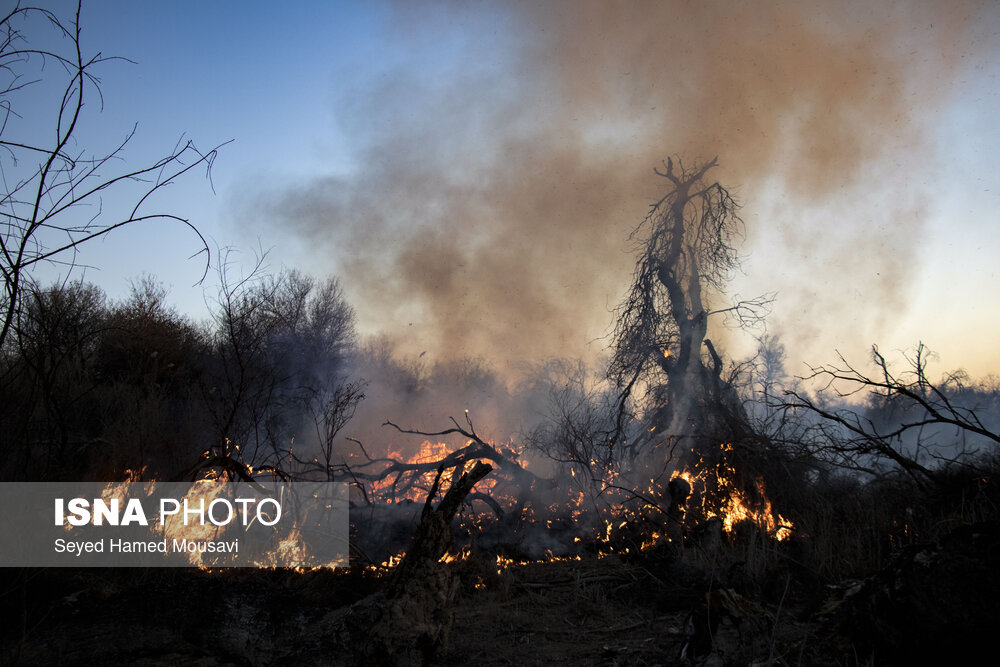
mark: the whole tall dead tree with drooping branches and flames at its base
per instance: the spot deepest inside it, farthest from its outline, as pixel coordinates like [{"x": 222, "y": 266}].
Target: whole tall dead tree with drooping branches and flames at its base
[{"x": 670, "y": 378}]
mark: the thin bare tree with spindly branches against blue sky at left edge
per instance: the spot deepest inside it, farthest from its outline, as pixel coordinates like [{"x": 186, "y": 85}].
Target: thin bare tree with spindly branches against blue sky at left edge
[{"x": 55, "y": 195}]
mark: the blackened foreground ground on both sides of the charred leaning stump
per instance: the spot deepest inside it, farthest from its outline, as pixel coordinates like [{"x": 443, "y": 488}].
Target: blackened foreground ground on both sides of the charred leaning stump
[{"x": 932, "y": 602}]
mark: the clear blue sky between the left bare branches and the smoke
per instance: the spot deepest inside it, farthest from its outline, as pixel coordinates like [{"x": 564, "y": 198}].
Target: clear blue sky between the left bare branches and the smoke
[{"x": 260, "y": 76}]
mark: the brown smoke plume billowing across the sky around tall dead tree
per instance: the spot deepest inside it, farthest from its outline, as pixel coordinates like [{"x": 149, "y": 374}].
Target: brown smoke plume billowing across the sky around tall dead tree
[{"x": 497, "y": 179}]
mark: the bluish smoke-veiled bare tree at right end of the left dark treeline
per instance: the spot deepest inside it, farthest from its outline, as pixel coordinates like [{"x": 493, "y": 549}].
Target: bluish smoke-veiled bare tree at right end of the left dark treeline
[{"x": 281, "y": 345}]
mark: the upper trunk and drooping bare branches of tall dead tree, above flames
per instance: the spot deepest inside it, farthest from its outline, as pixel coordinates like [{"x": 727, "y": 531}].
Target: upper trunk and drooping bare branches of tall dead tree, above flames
[{"x": 662, "y": 358}]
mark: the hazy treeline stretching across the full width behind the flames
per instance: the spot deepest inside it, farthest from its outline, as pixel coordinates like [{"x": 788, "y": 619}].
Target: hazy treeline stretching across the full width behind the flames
[{"x": 99, "y": 389}]
